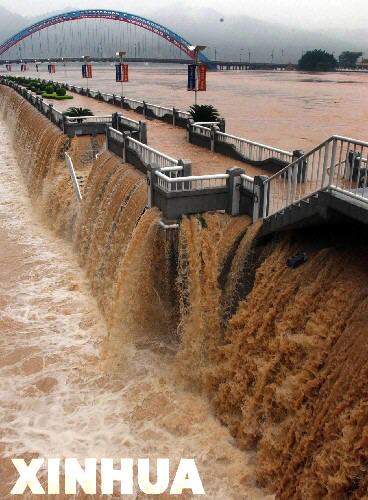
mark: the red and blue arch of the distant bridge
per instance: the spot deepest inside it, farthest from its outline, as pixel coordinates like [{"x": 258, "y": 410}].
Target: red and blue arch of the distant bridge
[{"x": 114, "y": 15}]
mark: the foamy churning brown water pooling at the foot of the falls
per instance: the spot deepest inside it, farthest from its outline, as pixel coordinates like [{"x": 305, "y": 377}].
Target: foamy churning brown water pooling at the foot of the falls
[{"x": 57, "y": 400}]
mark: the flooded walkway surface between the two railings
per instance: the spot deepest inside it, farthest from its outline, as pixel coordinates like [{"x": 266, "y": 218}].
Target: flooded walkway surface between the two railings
[{"x": 167, "y": 139}]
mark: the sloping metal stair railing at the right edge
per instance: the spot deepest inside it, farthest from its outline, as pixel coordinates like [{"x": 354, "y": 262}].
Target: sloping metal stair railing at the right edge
[{"x": 338, "y": 163}]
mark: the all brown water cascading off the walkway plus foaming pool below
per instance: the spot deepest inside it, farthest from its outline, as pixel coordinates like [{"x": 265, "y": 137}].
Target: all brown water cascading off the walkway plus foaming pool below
[{"x": 183, "y": 326}]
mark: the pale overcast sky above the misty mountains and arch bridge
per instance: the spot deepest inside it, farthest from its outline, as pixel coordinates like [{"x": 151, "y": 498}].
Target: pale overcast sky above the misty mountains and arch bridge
[{"x": 307, "y": 14}]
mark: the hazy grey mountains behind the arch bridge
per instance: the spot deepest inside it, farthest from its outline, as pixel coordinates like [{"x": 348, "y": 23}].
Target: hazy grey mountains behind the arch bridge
[{"x": 232, "y": 36}]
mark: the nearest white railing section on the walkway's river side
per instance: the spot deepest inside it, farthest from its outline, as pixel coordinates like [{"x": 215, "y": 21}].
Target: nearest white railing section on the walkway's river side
[{"x": 254, "y": 151}]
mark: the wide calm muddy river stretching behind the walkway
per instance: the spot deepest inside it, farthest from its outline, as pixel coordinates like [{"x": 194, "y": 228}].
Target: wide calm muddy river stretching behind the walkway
[{"x": 285, "y": 109}]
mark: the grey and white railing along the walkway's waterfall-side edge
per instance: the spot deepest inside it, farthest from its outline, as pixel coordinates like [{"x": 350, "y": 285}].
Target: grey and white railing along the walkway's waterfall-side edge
[{"x": 171, "y": 187}]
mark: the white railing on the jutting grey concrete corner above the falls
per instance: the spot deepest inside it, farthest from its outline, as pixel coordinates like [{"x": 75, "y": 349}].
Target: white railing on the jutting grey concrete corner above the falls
[{"x": 190, "y": 183}]
